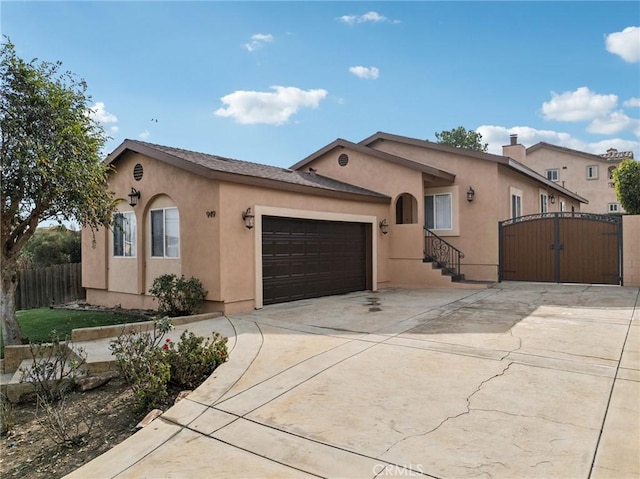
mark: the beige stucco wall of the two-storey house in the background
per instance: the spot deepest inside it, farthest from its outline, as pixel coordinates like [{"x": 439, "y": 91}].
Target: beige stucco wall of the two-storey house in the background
[{"x": 572, "y": 171}]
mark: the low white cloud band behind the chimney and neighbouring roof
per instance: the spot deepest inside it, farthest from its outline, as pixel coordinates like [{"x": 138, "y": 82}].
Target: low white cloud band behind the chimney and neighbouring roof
[{"x": 497, "y": 136}]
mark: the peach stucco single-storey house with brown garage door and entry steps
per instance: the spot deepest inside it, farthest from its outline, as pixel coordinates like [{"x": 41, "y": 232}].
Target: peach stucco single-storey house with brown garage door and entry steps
[{"x": 349, "y": 217}]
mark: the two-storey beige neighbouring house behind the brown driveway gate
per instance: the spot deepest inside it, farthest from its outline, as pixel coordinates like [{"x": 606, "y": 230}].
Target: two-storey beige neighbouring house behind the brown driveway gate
[{"x": 586, "y": 174}]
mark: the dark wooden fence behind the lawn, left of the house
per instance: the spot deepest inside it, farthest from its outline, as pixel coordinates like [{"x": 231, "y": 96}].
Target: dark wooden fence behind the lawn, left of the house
[{"x": 42, "y": 287}]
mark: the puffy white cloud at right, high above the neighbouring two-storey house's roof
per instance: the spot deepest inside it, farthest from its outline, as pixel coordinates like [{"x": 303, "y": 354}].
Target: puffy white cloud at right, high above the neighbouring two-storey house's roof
[{"x": 579, "y": 105}]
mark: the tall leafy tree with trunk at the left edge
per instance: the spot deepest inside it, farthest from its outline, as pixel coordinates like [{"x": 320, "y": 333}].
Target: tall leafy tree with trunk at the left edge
[{"x": 51, "y": 162}]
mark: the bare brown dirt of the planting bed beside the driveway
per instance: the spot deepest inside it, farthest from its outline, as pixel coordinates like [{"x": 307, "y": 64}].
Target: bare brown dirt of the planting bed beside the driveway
[{"x": 28, "y": 450}]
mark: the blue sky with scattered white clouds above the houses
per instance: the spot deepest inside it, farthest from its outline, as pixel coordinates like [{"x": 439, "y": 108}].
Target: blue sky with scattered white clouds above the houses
[{"x": 272, "y": 82}]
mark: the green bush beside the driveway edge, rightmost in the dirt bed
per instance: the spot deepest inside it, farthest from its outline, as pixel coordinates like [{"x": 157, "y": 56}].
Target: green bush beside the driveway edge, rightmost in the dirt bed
[{"x": 194, "y": 358}]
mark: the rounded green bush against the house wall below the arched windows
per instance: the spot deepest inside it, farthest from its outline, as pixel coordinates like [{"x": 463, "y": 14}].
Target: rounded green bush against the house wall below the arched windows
[{"x": 178, "y": 296}]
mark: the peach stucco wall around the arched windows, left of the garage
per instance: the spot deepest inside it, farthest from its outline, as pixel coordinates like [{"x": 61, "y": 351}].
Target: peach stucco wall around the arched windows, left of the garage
[{"x": 161, "y": 185}]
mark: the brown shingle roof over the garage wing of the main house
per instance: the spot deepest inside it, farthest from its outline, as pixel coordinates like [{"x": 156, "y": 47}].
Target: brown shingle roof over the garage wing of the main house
[{"x": 202, "y": 163}]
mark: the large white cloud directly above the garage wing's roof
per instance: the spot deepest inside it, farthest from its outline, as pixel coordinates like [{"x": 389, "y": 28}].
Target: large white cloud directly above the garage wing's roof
[{"x": 271, "y": 108}]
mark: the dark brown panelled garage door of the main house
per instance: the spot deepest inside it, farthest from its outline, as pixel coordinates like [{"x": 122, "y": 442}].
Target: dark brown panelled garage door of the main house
[{"x": 308, "y": 258}]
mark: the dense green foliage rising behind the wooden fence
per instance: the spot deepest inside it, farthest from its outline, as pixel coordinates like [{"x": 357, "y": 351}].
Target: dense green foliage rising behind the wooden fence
[{"x": 49, "y": 246}]
